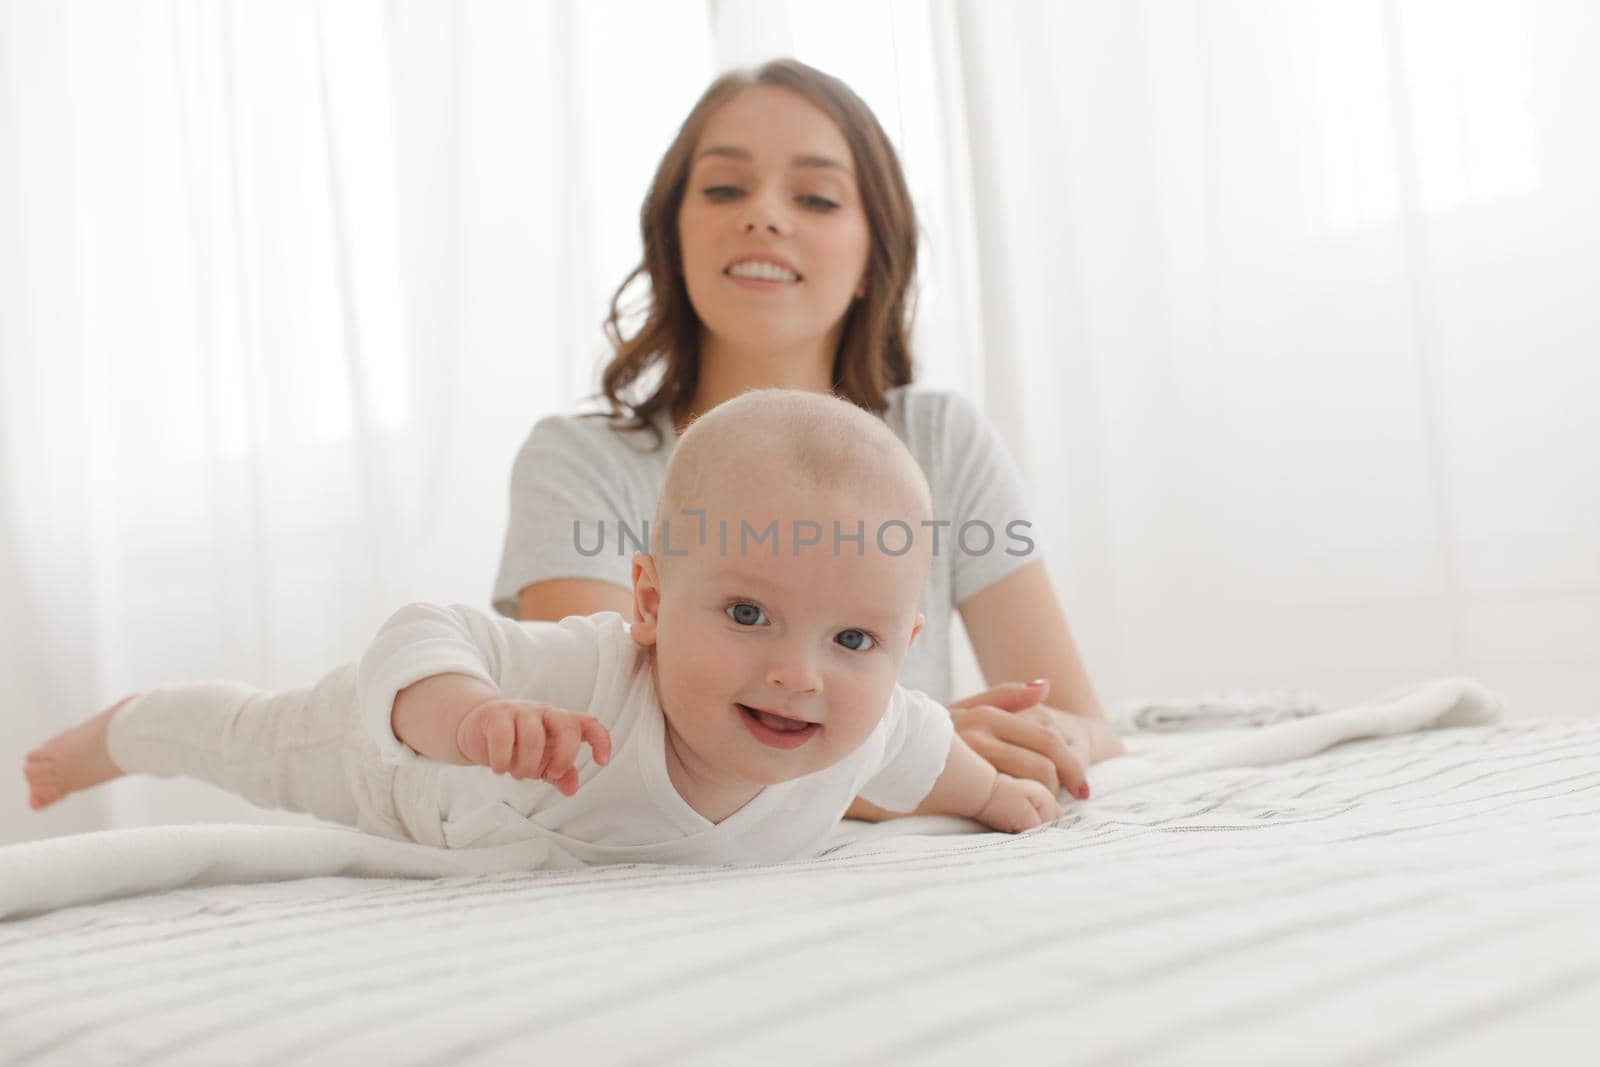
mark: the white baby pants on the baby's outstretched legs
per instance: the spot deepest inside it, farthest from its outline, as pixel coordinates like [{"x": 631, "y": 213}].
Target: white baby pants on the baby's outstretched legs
[{"x": 298, "y": 751}]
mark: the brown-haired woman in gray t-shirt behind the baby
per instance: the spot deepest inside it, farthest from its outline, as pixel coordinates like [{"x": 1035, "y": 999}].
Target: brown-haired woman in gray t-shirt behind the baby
[{"x": 780, "y": 249}]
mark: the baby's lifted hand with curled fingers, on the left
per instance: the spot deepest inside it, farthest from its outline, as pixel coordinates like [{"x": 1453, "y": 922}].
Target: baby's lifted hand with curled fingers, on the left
[{"x": 532, "y": 740}]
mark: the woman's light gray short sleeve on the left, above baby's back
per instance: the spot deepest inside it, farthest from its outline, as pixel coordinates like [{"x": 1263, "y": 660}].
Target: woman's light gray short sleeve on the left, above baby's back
[{"x": 570, "y": 489}]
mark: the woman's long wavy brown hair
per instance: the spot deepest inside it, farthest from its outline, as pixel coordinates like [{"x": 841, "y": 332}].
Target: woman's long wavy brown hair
[{"x": 874, "y": 350}]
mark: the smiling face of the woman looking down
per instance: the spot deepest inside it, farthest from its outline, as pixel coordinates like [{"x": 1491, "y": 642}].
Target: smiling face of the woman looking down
[{"x": 772, "y": 228}]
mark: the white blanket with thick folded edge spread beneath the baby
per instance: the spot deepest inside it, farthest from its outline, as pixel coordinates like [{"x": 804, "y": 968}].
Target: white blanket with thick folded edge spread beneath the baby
[{"x": 87, "y": 868}]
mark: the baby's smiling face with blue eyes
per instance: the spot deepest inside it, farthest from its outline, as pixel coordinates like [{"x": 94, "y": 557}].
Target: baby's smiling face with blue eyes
[{"x": 774, "y": 668}]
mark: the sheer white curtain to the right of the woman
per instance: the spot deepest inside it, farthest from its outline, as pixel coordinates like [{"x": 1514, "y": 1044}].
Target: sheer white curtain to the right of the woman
[{"x": 1287, "y": 311}]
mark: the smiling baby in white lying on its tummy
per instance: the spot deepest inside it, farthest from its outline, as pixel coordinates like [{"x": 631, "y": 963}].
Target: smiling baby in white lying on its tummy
[{"x": 738, "y": 716}]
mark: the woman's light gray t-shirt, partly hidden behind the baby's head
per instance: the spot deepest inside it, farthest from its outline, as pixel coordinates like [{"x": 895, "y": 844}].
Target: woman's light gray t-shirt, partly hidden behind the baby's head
[{"x": 578, "y": 484}]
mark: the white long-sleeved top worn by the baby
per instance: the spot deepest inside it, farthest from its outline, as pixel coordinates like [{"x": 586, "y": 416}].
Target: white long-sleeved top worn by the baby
[{"x": 626, "y": 812}]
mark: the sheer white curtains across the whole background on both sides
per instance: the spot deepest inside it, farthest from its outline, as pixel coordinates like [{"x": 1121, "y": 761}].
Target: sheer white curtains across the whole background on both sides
[{"x": 1286, "y": 310}]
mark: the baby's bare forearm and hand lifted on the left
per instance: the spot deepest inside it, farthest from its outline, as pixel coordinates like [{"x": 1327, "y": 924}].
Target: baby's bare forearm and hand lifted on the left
[{"x": 458, "y": 719}]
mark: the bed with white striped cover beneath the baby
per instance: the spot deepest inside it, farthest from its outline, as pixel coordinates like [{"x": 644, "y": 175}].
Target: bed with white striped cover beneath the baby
[{"x": 1425, "y": 898}]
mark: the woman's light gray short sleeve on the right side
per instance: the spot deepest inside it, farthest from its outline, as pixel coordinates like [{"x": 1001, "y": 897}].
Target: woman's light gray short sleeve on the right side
[{"x": 991, "y": 532}]
